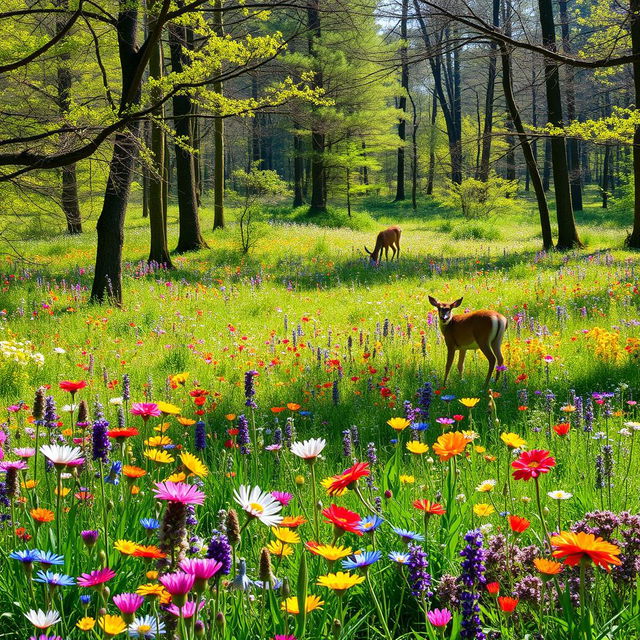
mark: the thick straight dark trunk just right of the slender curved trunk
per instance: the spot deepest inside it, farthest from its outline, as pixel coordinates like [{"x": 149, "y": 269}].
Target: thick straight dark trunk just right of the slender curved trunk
[{"x": 567, "y": 232}]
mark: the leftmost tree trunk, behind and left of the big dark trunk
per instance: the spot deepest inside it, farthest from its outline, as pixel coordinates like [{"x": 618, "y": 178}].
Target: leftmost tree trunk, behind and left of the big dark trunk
[{"x": 70, "y": 203}]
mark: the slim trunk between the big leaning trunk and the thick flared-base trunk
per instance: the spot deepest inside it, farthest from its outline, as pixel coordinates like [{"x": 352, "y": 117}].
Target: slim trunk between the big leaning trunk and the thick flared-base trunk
[{"x": 159, "y": 249}]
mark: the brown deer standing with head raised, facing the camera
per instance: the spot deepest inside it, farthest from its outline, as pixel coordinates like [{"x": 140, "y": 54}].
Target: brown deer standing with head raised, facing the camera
[{"x": 482, "y": 330}]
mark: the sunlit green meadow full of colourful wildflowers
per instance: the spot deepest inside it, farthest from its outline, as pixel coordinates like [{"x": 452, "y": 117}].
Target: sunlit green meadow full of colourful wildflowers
[{"x": 387, "y": 506}]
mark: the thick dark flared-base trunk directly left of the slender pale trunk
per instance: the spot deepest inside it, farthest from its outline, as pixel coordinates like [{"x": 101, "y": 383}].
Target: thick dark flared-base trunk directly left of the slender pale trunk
[{"x": 190, "y": 238}]
